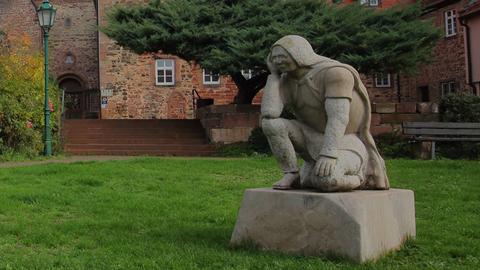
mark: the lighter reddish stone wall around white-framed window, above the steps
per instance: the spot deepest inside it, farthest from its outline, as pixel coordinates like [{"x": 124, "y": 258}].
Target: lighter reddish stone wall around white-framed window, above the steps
[{"x": 131, "y": 78}]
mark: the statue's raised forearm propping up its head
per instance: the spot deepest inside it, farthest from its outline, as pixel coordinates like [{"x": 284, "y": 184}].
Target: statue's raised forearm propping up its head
[{"x": 272, "y": 103}]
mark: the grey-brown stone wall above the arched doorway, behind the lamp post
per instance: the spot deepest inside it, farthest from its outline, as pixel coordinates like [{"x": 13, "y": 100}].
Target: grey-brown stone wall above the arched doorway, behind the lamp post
[{"x": 74, "y": 33}]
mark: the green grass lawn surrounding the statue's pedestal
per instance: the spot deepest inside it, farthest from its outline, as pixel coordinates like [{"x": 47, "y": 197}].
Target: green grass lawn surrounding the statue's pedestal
[{"x": 173, "y": 213}]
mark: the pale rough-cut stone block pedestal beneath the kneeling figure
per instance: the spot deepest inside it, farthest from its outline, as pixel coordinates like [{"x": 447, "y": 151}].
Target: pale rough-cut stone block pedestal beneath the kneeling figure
[{"x": 360, "y": 225}]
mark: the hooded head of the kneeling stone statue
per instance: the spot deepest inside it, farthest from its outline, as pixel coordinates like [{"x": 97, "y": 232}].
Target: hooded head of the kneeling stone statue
[{"x": 291, "y": 52}]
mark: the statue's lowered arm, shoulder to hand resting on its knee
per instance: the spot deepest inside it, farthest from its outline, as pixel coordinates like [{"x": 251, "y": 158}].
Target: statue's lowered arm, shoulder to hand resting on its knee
[{"x": 339, "y": 85}]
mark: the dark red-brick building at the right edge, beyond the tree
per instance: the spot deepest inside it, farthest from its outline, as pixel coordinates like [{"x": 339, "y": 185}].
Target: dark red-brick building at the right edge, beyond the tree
[{"x": 448, "y": 72}]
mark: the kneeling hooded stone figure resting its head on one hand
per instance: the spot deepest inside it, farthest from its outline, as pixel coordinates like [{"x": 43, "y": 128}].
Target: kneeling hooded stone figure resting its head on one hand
[{"x": 331, "y": 131}]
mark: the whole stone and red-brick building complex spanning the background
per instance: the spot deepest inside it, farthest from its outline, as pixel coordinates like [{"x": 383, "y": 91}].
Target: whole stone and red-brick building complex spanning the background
[{"x": 101, "y": 79}]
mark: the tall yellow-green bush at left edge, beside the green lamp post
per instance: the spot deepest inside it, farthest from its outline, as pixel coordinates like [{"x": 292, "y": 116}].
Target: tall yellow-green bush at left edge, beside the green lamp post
[{"x": 22, "y": 100}]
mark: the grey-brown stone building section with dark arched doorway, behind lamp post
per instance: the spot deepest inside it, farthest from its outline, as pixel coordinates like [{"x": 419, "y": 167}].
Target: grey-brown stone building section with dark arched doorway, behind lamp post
[{"x": 73, "y": 47}]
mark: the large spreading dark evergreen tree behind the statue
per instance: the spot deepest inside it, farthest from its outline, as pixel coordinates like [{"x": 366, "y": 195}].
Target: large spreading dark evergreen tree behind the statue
[{"x": 230, "y": 35}]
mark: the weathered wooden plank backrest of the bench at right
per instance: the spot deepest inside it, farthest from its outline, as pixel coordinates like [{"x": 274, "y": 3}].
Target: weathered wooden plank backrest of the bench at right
[{"x": 446, "y": 129}]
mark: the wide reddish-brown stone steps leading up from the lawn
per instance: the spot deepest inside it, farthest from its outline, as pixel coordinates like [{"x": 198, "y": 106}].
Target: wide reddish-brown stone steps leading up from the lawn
[{"x": 136, "y": 137}]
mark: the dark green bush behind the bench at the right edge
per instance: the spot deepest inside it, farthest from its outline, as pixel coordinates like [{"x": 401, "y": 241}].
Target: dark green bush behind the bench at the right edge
[{"x": 460, "y": 108}]
